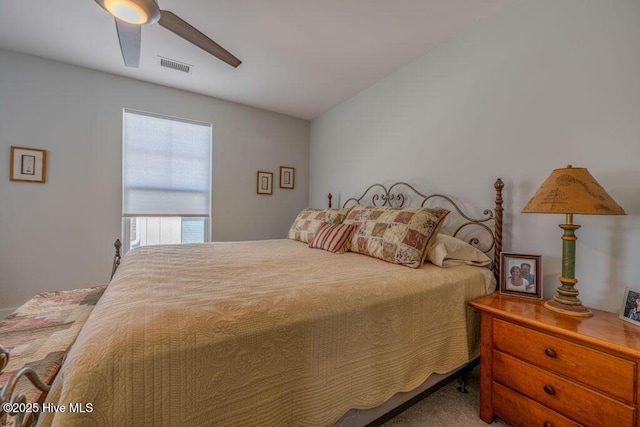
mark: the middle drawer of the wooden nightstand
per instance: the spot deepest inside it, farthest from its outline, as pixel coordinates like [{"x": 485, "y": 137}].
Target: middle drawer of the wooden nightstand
[{"x": 580, "y": 403}]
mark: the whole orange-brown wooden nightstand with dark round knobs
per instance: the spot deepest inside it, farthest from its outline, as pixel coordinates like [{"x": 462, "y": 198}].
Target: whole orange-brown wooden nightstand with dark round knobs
[{"x": 541, "y": 368}]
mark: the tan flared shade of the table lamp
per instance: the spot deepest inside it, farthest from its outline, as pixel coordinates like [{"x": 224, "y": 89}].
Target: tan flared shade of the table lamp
[{"x": 572, "y": 191}]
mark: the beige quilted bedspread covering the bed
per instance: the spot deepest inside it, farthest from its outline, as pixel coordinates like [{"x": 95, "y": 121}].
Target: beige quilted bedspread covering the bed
[{"x": 267, "y": 333}]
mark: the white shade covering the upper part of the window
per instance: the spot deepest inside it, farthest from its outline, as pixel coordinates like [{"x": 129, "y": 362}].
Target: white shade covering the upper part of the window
[{"x": 166, "y": 166}]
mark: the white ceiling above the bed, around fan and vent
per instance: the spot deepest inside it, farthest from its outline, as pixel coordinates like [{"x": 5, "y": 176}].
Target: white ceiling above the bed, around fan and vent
[{"x": 300, "y": 57}]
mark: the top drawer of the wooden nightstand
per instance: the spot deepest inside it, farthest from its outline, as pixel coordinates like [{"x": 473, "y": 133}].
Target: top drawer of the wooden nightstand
[{"x": 600, "y": 370}]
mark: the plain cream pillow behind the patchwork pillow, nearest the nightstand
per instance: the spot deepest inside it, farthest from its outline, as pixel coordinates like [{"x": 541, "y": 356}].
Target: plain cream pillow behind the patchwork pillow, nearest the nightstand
[{"x": 448, "y": 251}]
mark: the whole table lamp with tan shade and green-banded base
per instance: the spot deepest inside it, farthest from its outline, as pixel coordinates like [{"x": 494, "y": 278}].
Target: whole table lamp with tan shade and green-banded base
[{"x": 571, "y": 191}]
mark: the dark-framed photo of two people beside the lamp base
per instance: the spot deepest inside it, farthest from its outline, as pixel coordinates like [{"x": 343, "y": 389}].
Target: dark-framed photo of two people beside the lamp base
[{"x": 521, "y": 275}]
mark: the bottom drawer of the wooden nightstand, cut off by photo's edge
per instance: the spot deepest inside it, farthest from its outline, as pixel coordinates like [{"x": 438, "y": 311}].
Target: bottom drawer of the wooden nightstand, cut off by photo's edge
[{"x": 514, "y": 406}]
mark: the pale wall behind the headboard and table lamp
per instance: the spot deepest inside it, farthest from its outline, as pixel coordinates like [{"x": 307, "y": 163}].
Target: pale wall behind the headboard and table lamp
[{"x": 545, "y": 84}]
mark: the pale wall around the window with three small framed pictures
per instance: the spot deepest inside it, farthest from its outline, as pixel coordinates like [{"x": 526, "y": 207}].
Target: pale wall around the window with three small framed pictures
[{"x": 59, "y": 235}]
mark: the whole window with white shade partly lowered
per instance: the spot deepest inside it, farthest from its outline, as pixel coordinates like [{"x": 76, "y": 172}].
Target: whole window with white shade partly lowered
[{"x": 166, "y": 180}]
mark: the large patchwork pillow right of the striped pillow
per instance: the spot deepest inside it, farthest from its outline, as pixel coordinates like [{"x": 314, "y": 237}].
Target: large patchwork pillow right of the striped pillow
[{"x": 397, "y": 235}]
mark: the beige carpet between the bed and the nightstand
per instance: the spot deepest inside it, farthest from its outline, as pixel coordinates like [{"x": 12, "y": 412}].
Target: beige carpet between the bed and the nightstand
[{"x": 447, "y": 407}]
